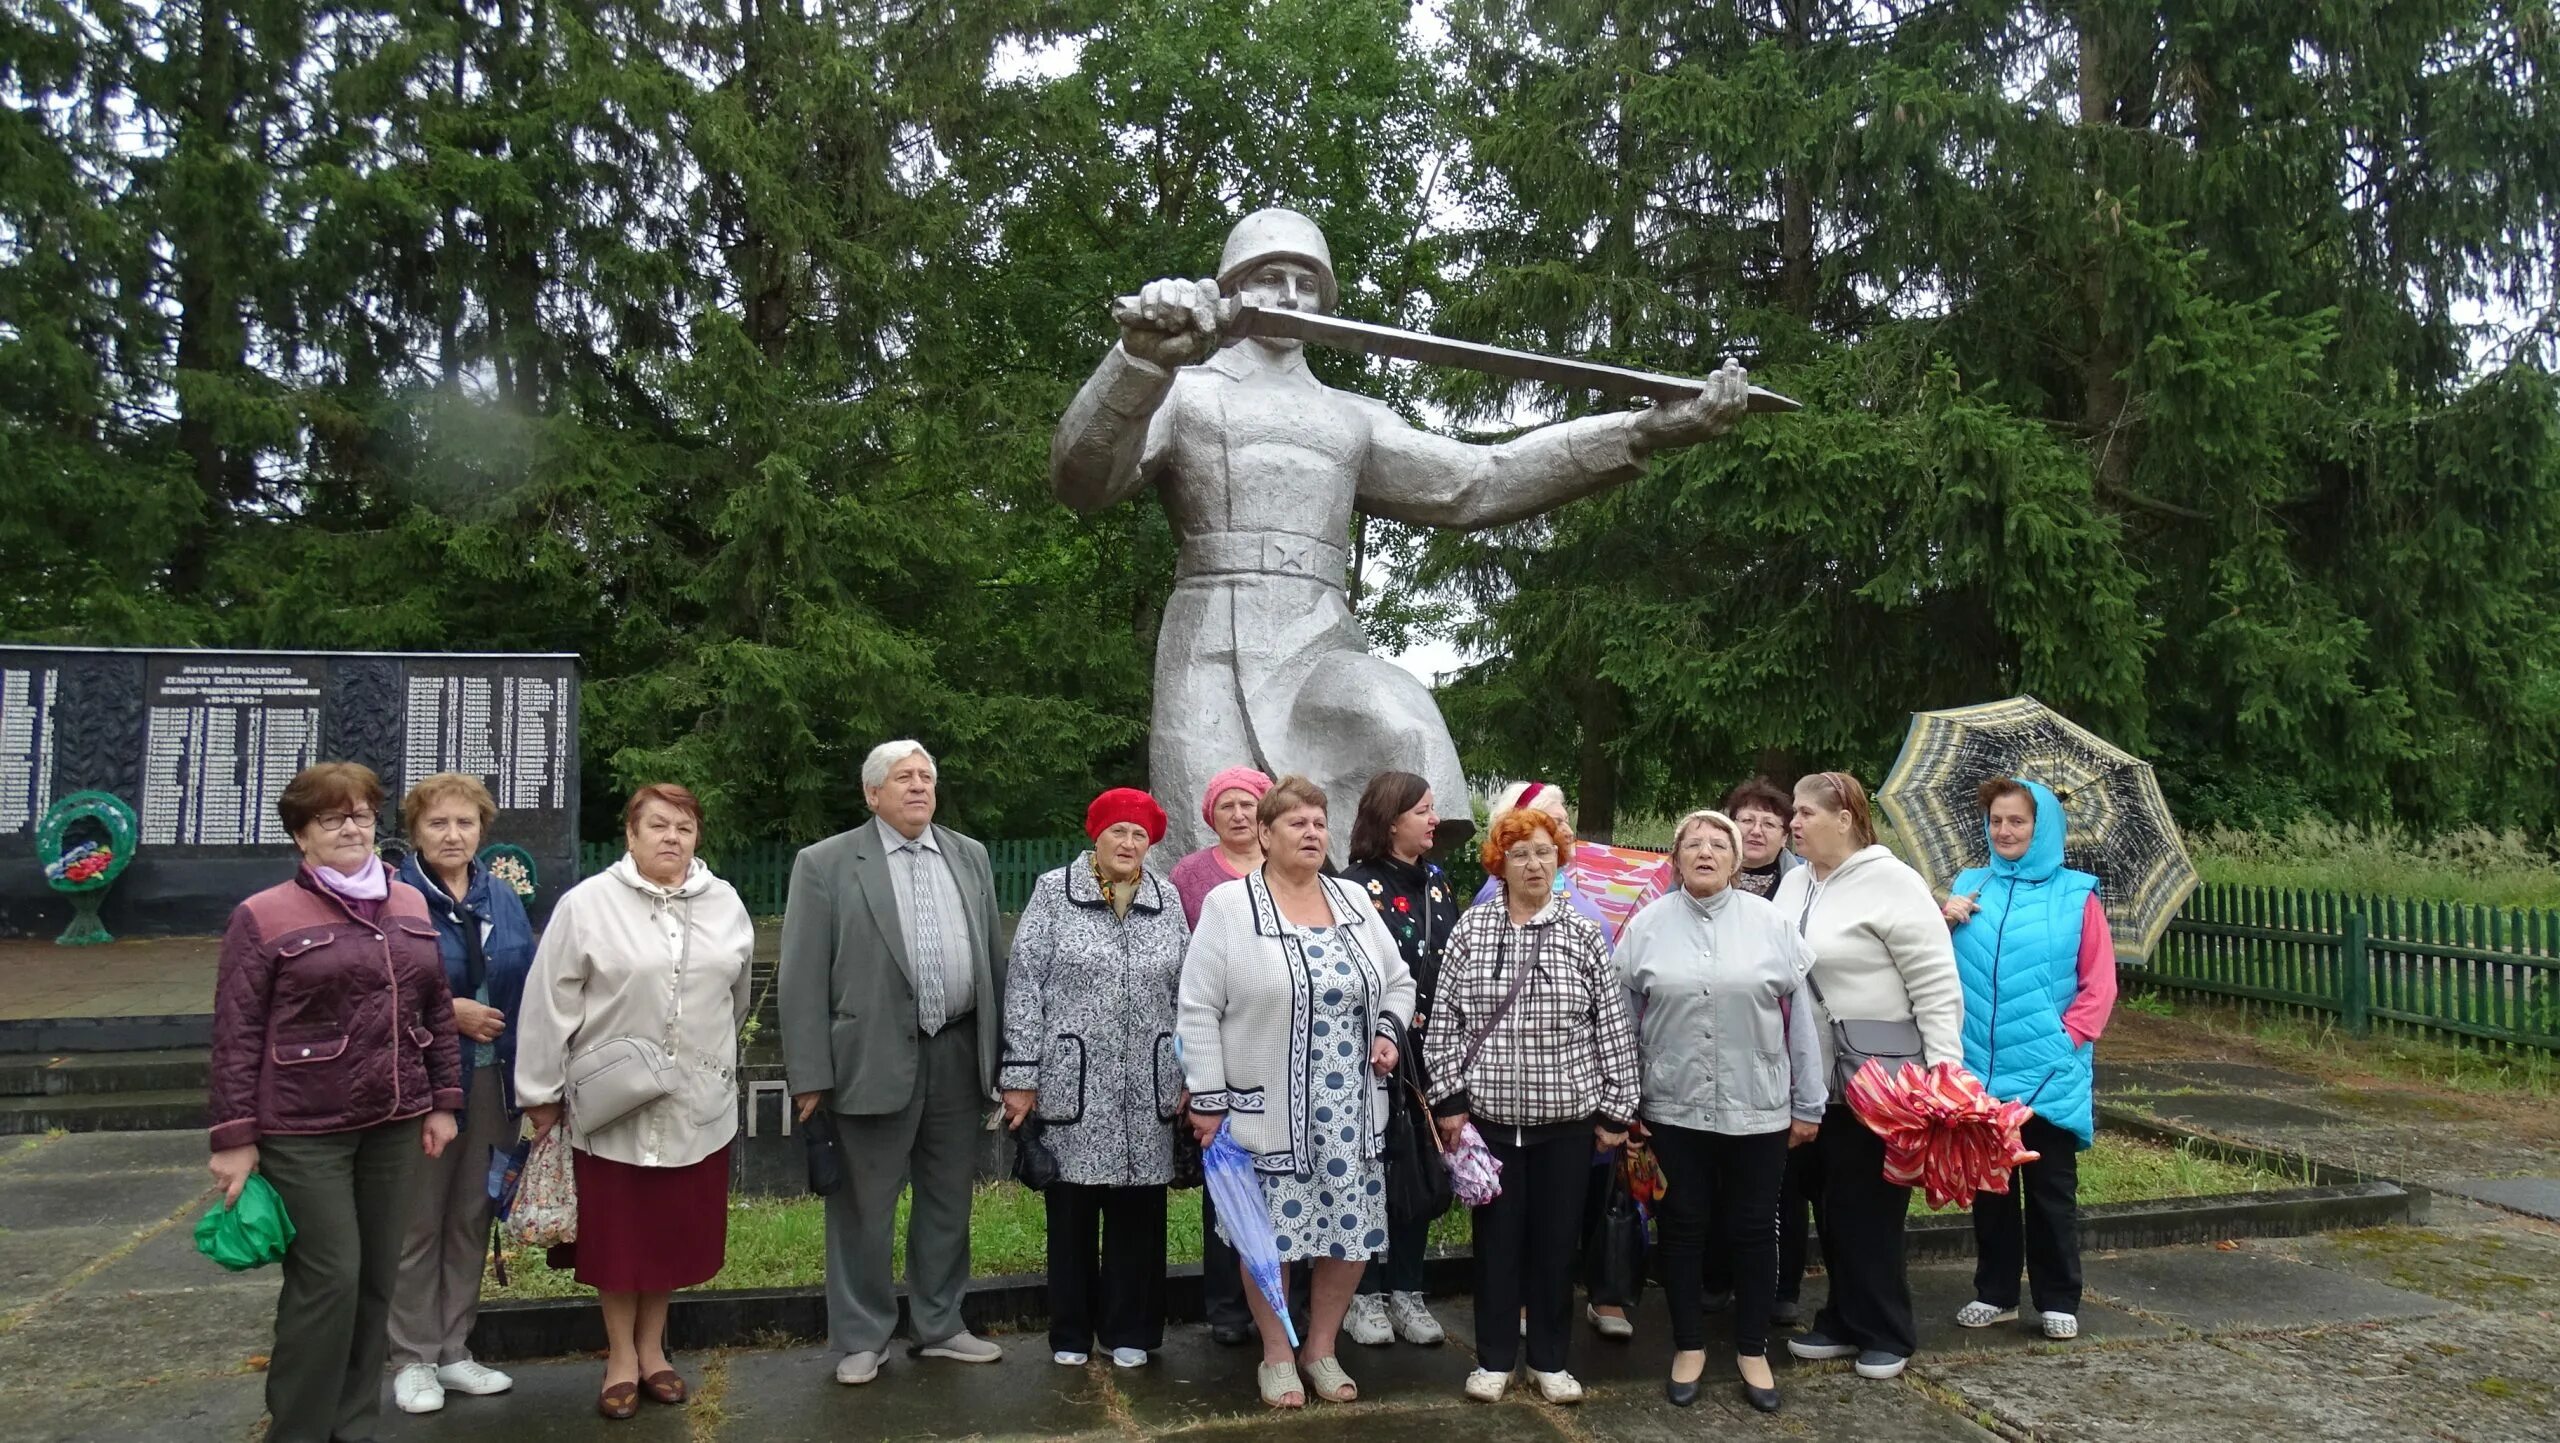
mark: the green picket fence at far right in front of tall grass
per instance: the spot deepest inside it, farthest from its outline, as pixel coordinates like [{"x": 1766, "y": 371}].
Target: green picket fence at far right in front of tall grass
[{"x": 2451, "y": 971}]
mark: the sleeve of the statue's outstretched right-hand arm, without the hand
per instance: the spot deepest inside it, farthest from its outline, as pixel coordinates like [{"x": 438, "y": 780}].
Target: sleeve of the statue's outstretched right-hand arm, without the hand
[{"x": 1435, "y": 482}]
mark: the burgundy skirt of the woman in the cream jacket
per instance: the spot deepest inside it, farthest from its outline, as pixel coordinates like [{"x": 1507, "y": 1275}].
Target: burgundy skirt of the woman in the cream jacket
[{"x": 649, "y": 1229}]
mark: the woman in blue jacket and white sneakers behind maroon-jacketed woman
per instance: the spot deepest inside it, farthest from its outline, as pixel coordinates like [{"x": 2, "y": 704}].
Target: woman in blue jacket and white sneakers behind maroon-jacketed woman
[{"x": 488, "y": 950}]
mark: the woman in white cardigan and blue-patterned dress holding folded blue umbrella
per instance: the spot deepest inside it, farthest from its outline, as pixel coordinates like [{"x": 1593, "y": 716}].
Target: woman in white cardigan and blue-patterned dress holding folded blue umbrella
[{"x": 1292, "y": 999}]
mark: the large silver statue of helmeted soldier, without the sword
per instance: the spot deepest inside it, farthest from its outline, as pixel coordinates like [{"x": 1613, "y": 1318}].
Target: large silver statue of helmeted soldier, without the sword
[{"x": 1261, "y": 469}]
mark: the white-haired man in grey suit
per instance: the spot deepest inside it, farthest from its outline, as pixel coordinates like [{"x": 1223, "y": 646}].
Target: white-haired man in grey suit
[{"x": 892, "y": 1007}]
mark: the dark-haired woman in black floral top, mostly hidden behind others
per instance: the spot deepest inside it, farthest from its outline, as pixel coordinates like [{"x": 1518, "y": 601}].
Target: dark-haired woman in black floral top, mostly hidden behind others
[{"x": 1391, "y": 843}]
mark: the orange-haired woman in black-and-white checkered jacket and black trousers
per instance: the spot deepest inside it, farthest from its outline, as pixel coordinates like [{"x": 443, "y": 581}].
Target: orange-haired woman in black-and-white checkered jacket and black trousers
[{"x": 1530, "y": 1040}]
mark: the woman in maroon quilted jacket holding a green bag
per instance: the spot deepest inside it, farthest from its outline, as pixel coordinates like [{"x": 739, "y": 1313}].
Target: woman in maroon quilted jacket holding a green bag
[{"x": 334, "y": 1066}]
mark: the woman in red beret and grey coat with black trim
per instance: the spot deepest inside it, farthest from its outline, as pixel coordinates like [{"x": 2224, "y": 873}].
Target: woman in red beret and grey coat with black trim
[{"x": 1089, "y": 1050}]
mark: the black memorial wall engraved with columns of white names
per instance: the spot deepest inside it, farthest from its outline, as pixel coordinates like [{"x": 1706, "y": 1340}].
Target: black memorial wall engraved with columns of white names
[{"x": 201, "y": 743}]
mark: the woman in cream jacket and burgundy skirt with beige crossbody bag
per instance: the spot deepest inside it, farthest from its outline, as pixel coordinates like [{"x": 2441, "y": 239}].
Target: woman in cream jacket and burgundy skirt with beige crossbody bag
[{"x": 657, "y": 950}]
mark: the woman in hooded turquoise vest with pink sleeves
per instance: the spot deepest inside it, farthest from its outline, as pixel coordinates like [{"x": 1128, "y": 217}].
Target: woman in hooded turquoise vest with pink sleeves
[{"x": 2039, "y": 981}]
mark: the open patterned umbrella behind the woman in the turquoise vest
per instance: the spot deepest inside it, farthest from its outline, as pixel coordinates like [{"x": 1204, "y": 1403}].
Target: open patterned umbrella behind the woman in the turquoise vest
[{"x": 2121, "y": 828}]
